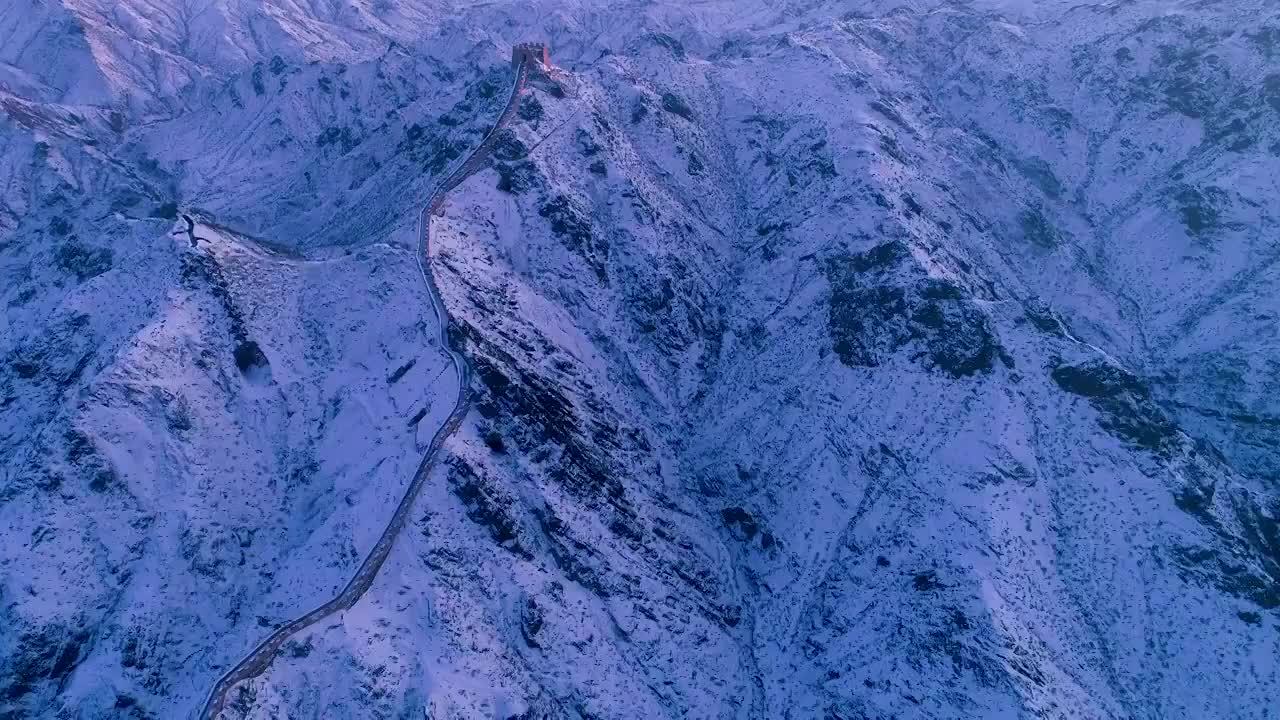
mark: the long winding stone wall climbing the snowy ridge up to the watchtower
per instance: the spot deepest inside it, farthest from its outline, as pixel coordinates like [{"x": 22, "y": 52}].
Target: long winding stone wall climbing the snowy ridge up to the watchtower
[{"x": 262, "y": 657}]
